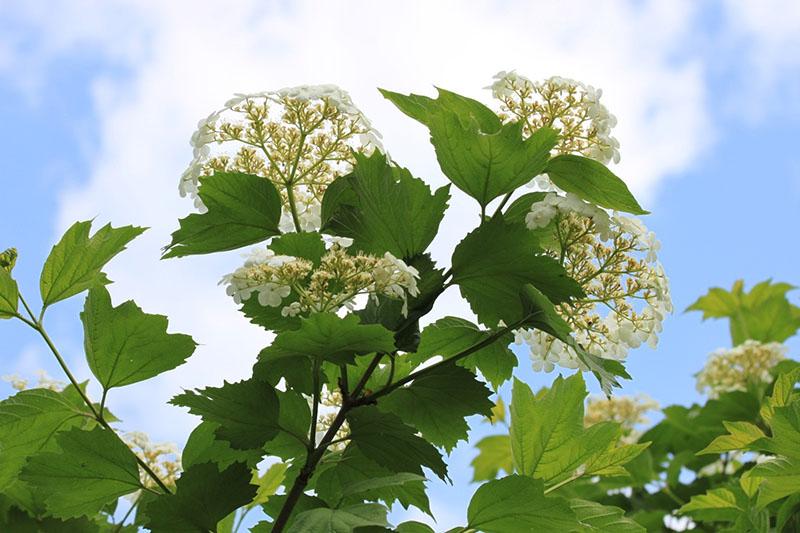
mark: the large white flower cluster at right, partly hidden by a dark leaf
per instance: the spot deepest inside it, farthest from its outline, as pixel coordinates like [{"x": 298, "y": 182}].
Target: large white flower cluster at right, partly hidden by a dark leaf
[{"x": 614, "y": 259}]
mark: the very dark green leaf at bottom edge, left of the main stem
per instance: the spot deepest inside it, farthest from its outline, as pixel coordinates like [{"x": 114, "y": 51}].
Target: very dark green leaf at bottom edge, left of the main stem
[{"x": 203, "y": 496}]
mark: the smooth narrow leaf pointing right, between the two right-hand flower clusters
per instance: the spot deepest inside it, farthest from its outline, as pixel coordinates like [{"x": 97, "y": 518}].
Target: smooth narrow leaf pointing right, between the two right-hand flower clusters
[{"x": 592, "y": 181}]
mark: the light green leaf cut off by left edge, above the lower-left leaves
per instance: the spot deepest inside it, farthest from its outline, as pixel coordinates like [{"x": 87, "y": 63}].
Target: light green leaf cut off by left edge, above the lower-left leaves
[{"x": 28, "y": 422}]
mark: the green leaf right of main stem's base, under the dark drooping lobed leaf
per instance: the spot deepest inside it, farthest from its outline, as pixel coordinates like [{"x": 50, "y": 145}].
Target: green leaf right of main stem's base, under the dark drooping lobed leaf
[{"x": 345, "y": 476}]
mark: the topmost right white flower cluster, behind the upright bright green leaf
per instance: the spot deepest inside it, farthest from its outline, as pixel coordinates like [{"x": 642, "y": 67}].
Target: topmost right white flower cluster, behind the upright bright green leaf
[{"x": 570, "y": 107}]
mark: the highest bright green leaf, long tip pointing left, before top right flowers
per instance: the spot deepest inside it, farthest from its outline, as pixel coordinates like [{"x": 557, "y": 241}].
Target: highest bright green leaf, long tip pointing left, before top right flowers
[{"x": 484, "y": 164}]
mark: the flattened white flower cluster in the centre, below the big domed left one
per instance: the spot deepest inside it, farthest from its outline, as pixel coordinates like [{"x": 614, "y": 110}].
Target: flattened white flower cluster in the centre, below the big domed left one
[{"x": 333, "y": 284}]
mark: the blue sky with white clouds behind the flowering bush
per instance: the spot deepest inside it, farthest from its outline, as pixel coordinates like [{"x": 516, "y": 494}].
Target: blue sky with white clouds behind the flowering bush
[{"x": 97, "y": 110}]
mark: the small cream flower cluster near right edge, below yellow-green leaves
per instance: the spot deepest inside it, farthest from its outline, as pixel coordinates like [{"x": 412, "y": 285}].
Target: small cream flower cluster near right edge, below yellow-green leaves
[{"x": 732, "y": 369}]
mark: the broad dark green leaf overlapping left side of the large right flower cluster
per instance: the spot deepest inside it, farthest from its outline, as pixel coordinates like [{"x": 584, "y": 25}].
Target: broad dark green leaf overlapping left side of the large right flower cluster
[{"x": 493, "y": 264}]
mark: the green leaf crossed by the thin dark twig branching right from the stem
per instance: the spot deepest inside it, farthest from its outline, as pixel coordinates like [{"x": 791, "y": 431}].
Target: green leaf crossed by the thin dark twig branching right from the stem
[{"x": 450, "y": 335}]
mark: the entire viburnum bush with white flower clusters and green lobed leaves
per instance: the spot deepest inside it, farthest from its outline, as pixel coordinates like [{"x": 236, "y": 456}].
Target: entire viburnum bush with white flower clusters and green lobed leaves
[{"x": 360, "y": 396}]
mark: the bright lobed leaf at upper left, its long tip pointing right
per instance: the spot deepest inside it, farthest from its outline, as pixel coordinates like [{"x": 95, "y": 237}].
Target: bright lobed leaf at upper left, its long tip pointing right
[{"x": 74, "y": 263}]
